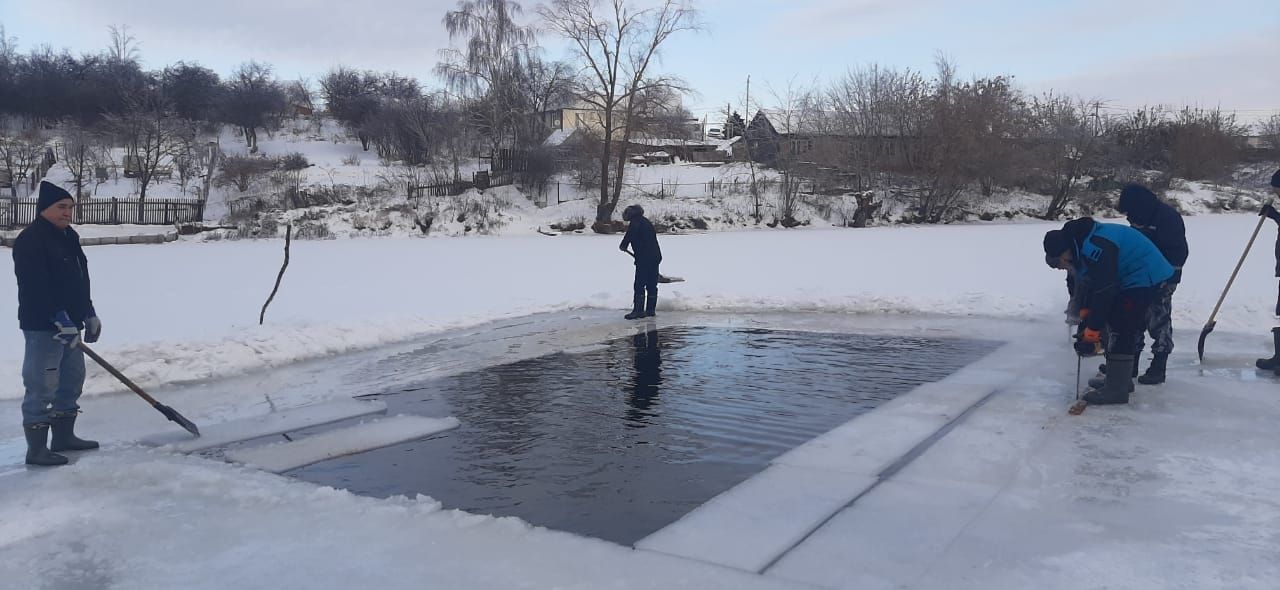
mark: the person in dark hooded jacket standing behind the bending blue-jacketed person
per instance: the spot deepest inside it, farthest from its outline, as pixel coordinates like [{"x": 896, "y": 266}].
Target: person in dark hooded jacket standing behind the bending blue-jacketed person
[{"x": 1164, "y": 227}]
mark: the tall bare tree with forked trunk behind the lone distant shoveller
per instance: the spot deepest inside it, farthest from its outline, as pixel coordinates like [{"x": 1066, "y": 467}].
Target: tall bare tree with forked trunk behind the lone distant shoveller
[{"x": 616, "y": 44}]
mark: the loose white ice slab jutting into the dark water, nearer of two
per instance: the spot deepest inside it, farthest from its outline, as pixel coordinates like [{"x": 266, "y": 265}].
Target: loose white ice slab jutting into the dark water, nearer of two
[{"x": 282, "y": 458}]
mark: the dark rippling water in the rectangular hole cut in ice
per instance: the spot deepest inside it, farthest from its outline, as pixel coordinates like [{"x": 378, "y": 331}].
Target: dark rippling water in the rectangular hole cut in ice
[{"x": 620, "y": 442}]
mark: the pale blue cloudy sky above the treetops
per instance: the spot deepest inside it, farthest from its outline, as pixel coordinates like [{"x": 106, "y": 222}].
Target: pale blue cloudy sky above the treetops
[{"x": 1206, "y": 53}]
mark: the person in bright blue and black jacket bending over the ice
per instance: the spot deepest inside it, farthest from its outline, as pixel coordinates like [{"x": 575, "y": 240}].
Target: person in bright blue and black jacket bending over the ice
[{"x": 1121, "y": 268}]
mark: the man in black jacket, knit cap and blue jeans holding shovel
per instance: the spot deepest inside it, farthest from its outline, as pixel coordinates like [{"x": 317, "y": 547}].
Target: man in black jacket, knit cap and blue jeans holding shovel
[{"x": 54, "y": 305}]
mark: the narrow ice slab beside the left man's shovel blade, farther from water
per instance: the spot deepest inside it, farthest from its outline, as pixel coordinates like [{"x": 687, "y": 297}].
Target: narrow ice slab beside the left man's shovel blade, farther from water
[{"x": 266, "y": 426}]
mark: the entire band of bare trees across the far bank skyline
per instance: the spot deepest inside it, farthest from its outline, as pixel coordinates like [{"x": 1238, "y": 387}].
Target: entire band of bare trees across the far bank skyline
[{"x": 934, "y": 140}]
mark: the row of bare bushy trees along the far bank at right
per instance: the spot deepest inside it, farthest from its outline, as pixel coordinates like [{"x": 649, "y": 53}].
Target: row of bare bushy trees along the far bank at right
[{"x": 936, "y": 141}]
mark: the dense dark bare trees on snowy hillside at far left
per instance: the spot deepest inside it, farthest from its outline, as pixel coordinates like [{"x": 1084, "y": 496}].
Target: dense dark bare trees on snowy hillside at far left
[{"x": 95, "y": 103}]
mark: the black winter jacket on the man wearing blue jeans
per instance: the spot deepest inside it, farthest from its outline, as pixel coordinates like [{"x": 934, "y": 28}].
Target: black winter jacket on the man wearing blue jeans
[{"x": 53, "y": 276}]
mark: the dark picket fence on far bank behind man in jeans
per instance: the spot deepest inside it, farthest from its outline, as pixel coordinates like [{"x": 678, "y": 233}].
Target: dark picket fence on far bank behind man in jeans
[{"x": 112, "y": 212}]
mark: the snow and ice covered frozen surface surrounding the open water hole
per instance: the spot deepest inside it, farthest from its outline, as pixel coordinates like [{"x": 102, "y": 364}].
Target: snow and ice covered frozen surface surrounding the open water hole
[{"x": 1176, "y": 491}]
